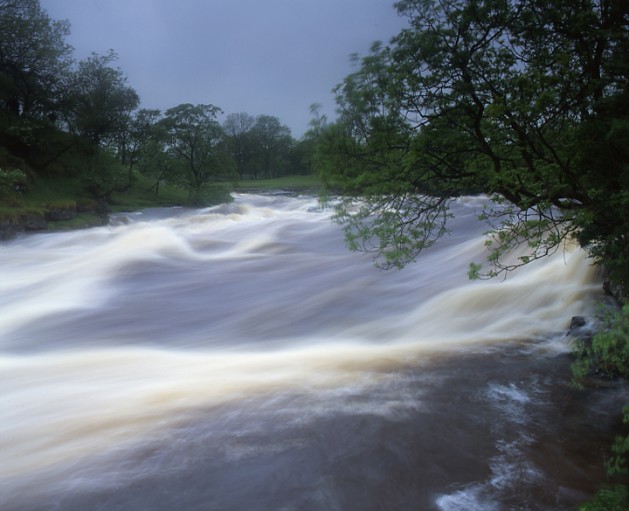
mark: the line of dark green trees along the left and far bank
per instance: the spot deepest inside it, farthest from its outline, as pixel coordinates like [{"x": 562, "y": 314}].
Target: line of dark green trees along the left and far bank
[{"x": 60, "y": 116}]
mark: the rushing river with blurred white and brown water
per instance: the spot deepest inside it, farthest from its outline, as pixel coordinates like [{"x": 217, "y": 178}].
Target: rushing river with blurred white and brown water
[{"x": 241, "y": 358}]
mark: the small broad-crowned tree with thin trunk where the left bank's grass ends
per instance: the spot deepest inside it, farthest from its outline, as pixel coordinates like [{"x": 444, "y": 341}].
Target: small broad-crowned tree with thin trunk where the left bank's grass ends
[{"x": 195, "y": 136}]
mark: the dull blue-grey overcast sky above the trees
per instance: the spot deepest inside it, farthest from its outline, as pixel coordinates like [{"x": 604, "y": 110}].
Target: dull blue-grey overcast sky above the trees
[{"x": 272, "y": 57}]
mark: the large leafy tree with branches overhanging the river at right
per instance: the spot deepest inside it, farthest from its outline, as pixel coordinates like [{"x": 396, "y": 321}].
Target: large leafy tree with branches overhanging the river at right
[{"x": 507, "y": 97}]
